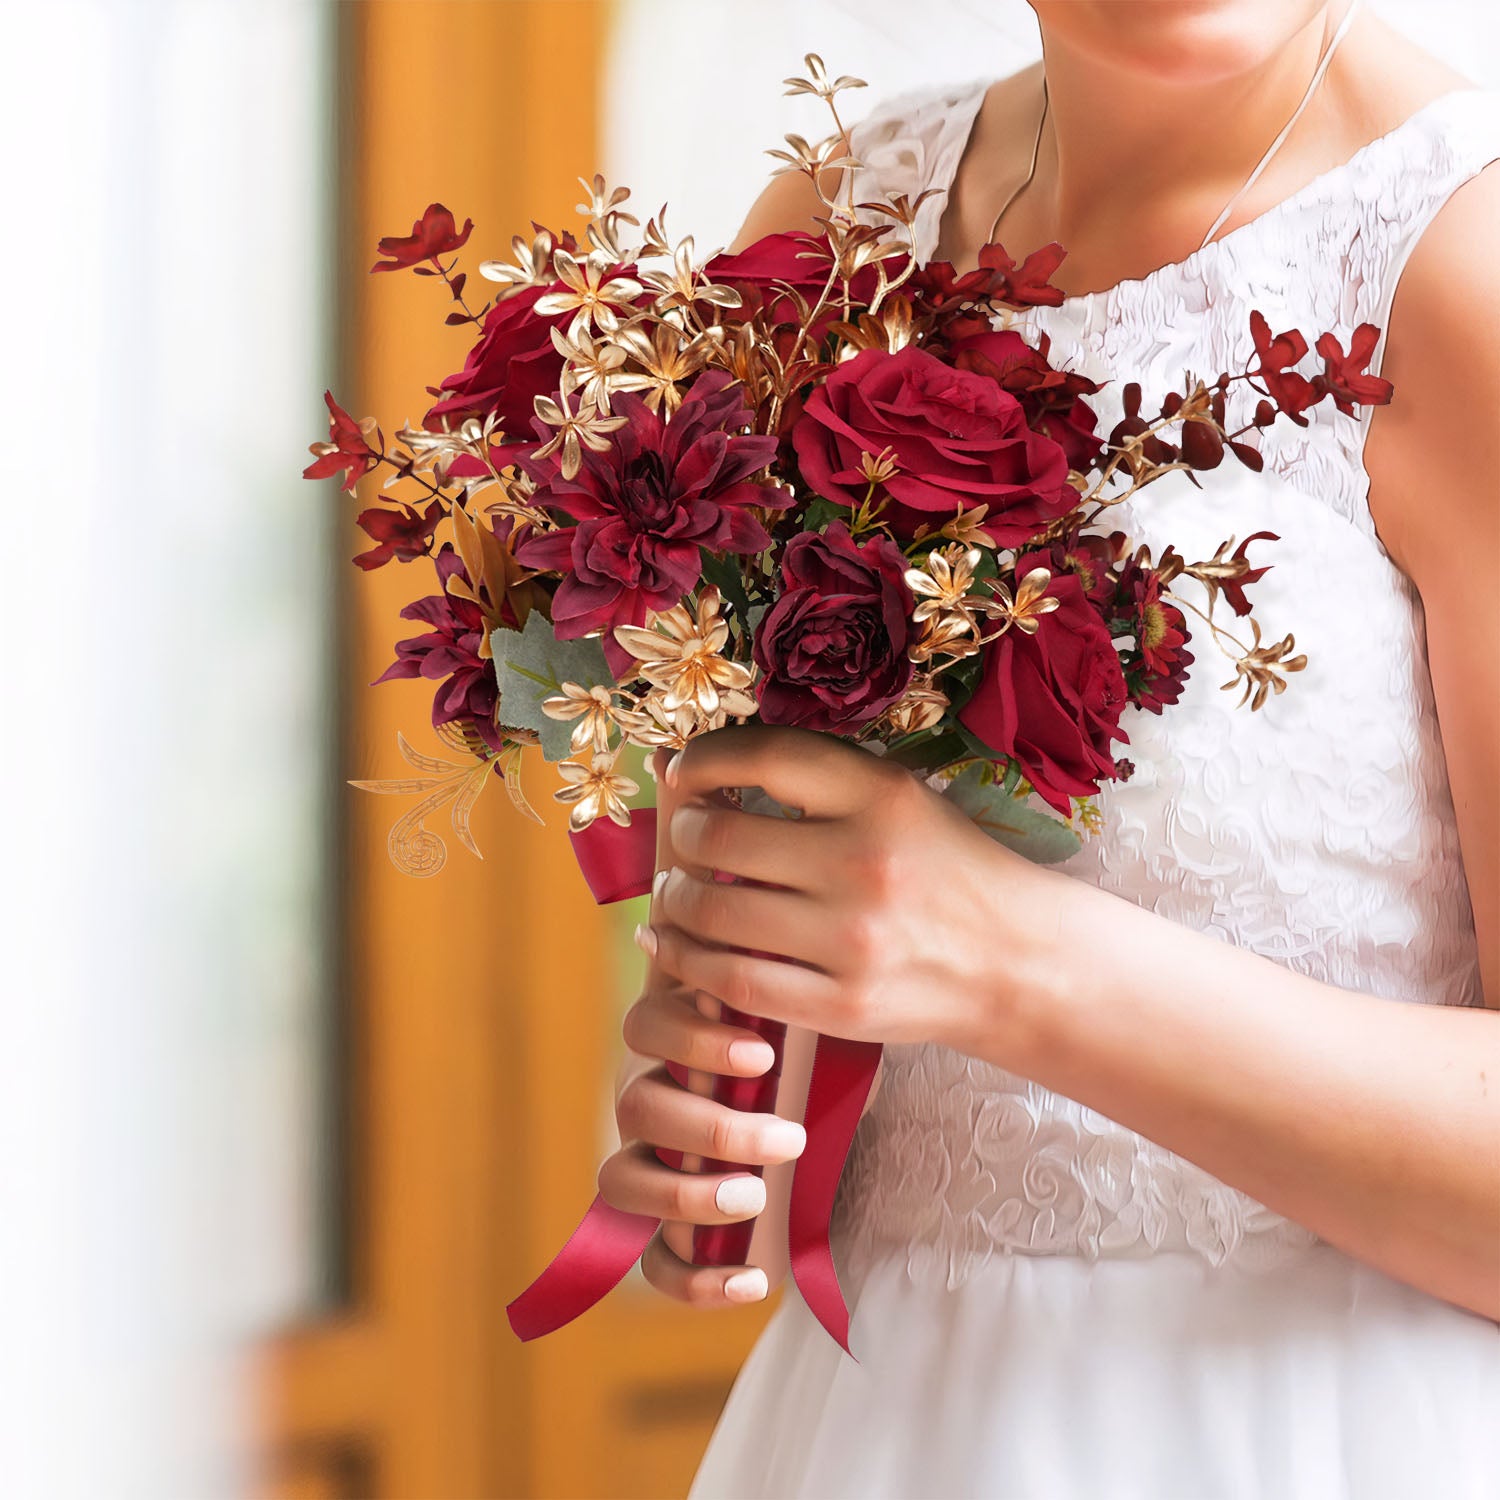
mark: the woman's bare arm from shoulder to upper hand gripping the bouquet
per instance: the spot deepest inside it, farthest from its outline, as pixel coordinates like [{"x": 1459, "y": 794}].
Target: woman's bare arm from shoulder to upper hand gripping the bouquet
[{"x": 1373, "y": 1123}]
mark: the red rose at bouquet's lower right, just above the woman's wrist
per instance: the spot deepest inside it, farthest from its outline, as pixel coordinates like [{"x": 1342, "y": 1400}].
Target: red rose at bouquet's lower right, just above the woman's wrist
[{"x": 1054, "y": 701}]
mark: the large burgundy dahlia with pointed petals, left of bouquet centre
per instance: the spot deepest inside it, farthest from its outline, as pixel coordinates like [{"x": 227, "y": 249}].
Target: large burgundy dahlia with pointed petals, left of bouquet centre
[{"x": 643, "y": 509}]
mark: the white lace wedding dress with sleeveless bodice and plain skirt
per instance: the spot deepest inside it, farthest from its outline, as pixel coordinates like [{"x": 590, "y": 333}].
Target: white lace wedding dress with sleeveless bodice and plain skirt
[{"x": 1046, "y": 1306}]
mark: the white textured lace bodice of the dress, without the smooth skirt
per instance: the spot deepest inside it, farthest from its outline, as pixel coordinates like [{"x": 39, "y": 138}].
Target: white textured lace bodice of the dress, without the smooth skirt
[{"x": 1318, "y": 832}]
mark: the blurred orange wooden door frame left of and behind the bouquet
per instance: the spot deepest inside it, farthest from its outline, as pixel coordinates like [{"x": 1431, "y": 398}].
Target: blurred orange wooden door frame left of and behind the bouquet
[{"x": 479, "y": 1028}]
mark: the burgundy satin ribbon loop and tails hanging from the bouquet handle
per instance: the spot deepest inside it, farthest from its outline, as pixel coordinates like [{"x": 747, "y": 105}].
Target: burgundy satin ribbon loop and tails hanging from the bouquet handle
[{"x": 619, "y": 863}]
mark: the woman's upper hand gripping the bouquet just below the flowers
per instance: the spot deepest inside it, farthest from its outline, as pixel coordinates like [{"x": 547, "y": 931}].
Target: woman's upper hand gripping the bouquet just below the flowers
[{"x": 881, "y": 914}]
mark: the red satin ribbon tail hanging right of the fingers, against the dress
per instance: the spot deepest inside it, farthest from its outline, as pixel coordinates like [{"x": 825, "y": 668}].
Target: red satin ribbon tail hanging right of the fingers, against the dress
[{"x": 836, "y": 1096}]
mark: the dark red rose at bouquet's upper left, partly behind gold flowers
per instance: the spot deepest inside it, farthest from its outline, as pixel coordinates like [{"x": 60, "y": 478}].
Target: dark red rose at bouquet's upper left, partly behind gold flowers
[{"x": 511, "y": 365}]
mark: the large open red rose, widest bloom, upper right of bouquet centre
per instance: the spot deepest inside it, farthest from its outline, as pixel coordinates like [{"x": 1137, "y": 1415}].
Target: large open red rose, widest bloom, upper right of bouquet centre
[{"x": 959, "y": 442}]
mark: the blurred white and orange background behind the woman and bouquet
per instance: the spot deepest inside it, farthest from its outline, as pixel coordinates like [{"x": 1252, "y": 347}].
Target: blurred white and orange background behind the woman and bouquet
[{"x": 281, "y": 1130}]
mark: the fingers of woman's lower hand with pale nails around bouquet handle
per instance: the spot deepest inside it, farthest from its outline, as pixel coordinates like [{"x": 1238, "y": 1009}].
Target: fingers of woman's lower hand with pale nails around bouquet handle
[{"x": 653, "y": 1109}]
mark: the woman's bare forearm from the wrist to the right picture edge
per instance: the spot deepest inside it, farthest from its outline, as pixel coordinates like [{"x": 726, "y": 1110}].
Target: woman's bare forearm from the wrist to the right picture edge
[{"x": 1373, "y": 1123}]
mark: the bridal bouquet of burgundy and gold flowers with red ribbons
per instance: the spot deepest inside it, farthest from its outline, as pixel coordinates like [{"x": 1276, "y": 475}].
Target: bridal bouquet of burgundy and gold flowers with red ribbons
[{"x": 812, "y": 484}]
